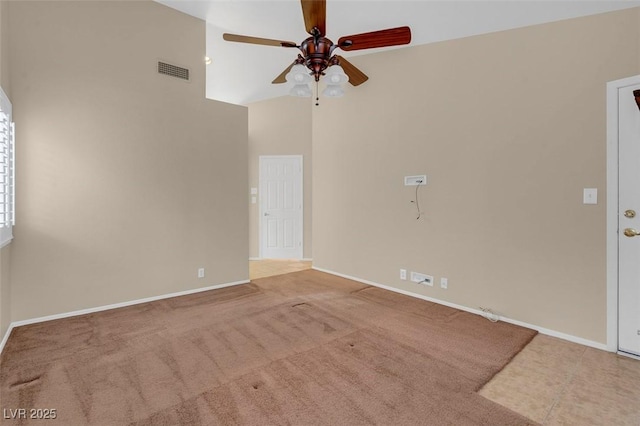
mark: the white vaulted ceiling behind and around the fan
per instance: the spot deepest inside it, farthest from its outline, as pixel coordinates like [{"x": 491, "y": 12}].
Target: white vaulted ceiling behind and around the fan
[{"x": 242, "y": 73}]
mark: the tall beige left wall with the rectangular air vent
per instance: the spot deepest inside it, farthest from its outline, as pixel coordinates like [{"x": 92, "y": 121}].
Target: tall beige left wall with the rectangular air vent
[{"x": 128, "y": 180}]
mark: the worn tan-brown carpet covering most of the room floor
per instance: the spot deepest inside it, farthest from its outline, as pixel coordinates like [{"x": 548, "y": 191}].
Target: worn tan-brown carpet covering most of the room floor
[{"x": 305, "y": 348}]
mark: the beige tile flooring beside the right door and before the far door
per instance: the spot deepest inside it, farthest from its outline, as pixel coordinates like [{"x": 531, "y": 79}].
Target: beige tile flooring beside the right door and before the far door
[{"x": 551, "y": 381}]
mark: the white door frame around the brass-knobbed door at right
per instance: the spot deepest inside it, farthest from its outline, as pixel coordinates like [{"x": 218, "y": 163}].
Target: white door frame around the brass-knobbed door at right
[{"x": 612, "y": 207}]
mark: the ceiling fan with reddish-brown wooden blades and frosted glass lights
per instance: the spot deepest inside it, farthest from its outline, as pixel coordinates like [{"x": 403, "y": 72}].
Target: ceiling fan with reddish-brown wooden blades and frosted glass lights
[{"x": 317, "y": 56}]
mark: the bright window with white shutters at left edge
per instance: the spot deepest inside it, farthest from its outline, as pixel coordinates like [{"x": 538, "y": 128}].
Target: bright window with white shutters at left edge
[{"x": 7, "y": 175}]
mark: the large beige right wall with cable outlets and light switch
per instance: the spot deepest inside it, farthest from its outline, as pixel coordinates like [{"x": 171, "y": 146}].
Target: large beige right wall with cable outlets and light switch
[{"x": 509, "y": 127}]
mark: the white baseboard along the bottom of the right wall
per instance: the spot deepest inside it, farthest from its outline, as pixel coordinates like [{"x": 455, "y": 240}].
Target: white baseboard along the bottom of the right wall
[{"x": 541, "y": 330}]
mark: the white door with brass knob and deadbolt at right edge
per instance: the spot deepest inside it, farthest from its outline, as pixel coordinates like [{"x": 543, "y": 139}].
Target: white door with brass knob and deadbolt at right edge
[{"x": 629, "y": 221}]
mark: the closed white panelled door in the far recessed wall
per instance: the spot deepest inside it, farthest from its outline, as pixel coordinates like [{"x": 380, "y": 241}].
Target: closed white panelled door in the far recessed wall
[{"x": 281, "y": 207}]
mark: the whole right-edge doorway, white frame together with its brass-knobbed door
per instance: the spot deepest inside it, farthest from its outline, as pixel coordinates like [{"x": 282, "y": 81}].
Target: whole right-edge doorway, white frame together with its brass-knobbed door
[{"x": 623, "y": 211}]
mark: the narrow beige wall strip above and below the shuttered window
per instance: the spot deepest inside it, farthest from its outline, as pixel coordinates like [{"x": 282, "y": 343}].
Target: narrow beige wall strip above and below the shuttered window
[{"x": 5, "y": 252}]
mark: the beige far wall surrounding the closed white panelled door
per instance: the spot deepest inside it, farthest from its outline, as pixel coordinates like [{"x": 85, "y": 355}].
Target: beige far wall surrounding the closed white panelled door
[{"x": 280, "y": 126}]
